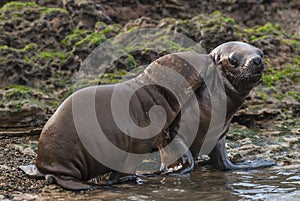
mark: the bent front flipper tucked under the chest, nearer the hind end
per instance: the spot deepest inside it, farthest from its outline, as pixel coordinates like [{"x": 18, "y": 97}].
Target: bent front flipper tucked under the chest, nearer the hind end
[{"x": 183, "y": 164}]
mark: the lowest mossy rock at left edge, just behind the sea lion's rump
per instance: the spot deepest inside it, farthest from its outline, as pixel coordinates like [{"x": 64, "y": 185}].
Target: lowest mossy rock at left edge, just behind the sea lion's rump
[{"x": 22, "y": 106}]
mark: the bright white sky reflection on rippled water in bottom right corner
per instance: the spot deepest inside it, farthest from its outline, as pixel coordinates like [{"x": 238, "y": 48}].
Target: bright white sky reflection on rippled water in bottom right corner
[{"x": 270, "y": 184}]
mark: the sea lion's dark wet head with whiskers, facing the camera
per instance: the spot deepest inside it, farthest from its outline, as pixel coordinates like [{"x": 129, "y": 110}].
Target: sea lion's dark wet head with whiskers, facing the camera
[{"x": 241, "y": 64}]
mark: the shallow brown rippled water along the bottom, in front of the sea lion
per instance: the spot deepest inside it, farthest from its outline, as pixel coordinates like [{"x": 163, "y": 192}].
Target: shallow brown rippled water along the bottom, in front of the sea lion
[{"x": 206, "y": 184}]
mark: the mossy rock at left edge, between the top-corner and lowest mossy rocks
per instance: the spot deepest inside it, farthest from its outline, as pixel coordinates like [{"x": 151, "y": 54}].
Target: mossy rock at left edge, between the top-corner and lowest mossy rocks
[{"x": 33, "y": 67}]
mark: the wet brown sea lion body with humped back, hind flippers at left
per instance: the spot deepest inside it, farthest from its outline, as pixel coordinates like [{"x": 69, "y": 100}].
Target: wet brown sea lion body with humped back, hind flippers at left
[{"x": 73, "y": 149}]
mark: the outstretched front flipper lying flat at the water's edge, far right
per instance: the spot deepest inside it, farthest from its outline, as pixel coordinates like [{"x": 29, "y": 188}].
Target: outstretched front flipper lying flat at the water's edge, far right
[{"x": 219, "y": 160}]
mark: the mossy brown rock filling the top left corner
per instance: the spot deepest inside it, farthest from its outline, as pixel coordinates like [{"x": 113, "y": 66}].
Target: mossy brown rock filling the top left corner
[{"x": 25, "y": 23}]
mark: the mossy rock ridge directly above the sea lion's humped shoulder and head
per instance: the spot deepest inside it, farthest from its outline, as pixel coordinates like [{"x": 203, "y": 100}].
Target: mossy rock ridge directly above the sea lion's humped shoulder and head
[{"x": 207, "y": 30}]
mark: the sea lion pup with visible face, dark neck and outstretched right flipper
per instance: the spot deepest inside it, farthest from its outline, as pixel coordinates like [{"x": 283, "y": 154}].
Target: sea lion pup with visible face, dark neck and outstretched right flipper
[{"x": 240, "y": 67}]
